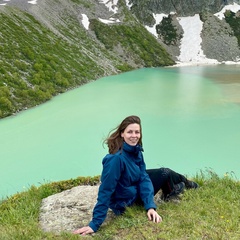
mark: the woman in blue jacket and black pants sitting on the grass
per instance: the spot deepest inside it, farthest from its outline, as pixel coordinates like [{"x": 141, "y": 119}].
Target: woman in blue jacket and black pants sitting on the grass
[{"x": 124, "y": 179}]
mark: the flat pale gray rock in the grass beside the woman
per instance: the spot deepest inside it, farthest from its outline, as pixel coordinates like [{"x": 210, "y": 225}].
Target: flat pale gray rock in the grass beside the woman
[{"x": 69, "y": 210}]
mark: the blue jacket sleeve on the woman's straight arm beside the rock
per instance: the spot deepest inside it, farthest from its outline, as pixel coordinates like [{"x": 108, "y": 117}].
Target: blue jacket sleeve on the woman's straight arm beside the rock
[{"x": 112, "y": 168}]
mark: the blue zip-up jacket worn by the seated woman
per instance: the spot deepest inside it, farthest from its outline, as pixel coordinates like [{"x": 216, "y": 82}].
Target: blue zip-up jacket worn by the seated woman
[{"x": 123, "y": 180}]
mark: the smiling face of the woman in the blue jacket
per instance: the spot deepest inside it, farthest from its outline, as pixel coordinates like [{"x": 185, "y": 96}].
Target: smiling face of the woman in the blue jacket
[{"x": 132, "y": 134}]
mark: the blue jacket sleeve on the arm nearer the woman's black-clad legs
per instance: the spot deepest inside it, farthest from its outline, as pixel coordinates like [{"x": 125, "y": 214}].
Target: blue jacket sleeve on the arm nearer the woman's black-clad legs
[{"x": 146, "y": 189}]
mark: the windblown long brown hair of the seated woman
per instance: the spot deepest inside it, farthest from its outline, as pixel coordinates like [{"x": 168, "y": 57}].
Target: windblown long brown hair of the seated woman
[{"x": 114, "y": 140}]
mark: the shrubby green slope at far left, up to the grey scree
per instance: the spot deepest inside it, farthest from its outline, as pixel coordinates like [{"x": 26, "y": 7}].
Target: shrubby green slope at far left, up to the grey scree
[{"x": 36, "y": 64}]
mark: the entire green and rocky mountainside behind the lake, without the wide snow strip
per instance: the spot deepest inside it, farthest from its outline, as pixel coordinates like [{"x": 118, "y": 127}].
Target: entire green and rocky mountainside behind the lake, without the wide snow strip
[{"x": 49, "y": 47}]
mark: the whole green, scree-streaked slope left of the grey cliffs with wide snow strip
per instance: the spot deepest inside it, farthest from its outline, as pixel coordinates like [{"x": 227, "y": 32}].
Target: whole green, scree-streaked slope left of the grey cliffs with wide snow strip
[{"x": 38, "y": 62}]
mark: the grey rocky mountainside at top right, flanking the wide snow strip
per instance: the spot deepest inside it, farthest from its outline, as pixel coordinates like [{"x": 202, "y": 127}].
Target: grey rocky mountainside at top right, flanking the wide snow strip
[{"x": 220, "y": 37}]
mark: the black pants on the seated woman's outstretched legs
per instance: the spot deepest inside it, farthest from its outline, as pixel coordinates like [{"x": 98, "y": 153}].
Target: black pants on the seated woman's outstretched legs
[{"x": 165, "y": 179}]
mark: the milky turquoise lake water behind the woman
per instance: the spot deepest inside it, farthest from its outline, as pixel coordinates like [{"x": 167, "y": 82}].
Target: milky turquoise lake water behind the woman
[{"x": 190, "y": 118}]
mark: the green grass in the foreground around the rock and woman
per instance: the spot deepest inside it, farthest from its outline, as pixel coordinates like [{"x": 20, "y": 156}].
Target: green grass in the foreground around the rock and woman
[{"x": 210, "y": 212}]
